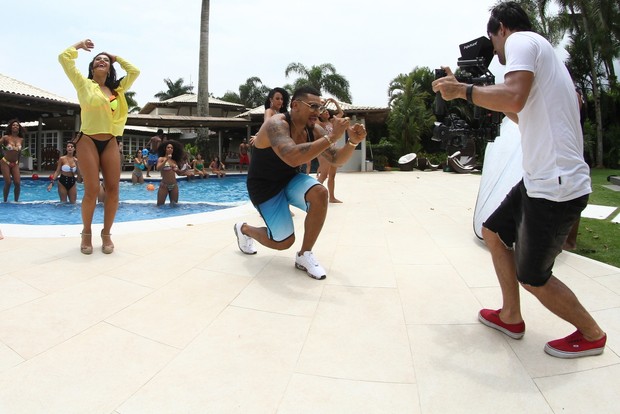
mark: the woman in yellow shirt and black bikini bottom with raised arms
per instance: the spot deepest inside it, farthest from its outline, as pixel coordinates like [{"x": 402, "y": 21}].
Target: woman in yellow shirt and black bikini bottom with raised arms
[{"x": 104, "y": 114}]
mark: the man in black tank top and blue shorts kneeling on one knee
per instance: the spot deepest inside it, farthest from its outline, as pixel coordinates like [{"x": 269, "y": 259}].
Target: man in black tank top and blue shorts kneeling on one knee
[{"x": 274, "y": 181}]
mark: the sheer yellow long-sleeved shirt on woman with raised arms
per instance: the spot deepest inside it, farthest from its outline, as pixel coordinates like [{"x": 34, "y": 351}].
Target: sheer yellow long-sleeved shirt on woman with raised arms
[{"x": 96, "y": 112}]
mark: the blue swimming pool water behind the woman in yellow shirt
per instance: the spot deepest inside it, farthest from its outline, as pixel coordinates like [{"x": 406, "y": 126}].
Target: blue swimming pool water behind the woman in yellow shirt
[{"x": 38, "y": 206}]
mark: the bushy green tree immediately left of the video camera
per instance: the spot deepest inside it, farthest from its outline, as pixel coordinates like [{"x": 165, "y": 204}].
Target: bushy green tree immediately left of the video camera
[{"x": 410, "y": 117}]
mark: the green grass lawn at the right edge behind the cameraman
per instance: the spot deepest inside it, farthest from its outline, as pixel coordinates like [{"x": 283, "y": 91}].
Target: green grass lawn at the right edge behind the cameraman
[{"x": 600, "y": 239}]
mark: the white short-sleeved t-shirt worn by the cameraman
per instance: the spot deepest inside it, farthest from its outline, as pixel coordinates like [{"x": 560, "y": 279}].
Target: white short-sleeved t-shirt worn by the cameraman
[{"x": 551, "y": 136}]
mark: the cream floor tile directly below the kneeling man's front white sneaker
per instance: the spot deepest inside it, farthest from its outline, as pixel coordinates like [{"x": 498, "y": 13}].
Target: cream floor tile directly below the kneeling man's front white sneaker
[{"x": 358, "y": 333}]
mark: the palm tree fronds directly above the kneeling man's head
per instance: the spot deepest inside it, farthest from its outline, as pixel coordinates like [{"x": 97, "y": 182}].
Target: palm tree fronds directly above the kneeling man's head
[{"x": 323, "y": 77}]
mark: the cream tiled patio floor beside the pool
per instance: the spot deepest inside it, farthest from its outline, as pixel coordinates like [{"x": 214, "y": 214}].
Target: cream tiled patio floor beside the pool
[{"x": 178, "y": 320}]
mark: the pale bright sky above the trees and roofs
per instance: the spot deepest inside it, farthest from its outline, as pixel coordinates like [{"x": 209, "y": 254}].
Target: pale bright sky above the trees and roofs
[{"x": 369, "y": 43}]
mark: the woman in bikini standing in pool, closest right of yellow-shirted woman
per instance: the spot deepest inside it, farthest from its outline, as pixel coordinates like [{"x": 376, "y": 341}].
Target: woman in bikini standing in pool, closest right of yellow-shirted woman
[{"x": 170, "y": 157}]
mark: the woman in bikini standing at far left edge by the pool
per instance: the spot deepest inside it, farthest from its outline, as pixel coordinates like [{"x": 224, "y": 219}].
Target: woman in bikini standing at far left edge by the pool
[{"x": 12, "y": 142}]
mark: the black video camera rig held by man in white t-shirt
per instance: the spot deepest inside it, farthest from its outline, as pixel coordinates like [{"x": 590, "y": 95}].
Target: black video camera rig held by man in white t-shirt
[{"x": 451, "y": 130}]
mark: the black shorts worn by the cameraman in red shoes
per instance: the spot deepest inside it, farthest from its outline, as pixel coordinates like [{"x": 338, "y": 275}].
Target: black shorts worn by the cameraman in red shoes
[{"x": 537, "y": 228}]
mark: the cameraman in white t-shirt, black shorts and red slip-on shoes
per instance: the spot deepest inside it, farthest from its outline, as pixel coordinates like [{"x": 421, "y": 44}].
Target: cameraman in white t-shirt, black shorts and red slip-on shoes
[{"x": 537, "y": 214}]
